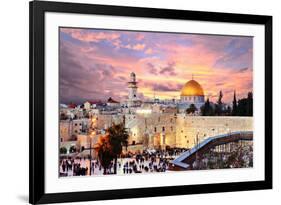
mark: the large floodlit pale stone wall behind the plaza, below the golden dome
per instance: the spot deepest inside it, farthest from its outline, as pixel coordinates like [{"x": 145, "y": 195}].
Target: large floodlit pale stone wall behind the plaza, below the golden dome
[{"x": 158, "y": 130}]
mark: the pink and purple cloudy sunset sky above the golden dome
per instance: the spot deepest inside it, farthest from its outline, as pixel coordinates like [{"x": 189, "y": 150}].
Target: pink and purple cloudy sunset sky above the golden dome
[{"x": 95, "y": 64}]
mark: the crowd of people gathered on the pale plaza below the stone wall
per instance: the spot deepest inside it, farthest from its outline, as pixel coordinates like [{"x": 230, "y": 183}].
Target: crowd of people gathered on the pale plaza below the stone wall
[{"x": 129, "y": 163}]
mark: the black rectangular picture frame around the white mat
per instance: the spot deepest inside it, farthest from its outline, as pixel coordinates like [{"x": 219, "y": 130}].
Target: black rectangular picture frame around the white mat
[{"x": 37, "y": 10}]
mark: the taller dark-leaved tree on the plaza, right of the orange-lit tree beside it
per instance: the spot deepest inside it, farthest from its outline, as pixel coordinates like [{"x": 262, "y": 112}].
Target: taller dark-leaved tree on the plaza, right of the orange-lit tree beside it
[{"x": 118, "y": 137}]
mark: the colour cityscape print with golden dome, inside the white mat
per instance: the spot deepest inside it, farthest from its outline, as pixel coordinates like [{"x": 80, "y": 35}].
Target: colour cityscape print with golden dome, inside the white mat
[{"x": 149, "y": 102}]
